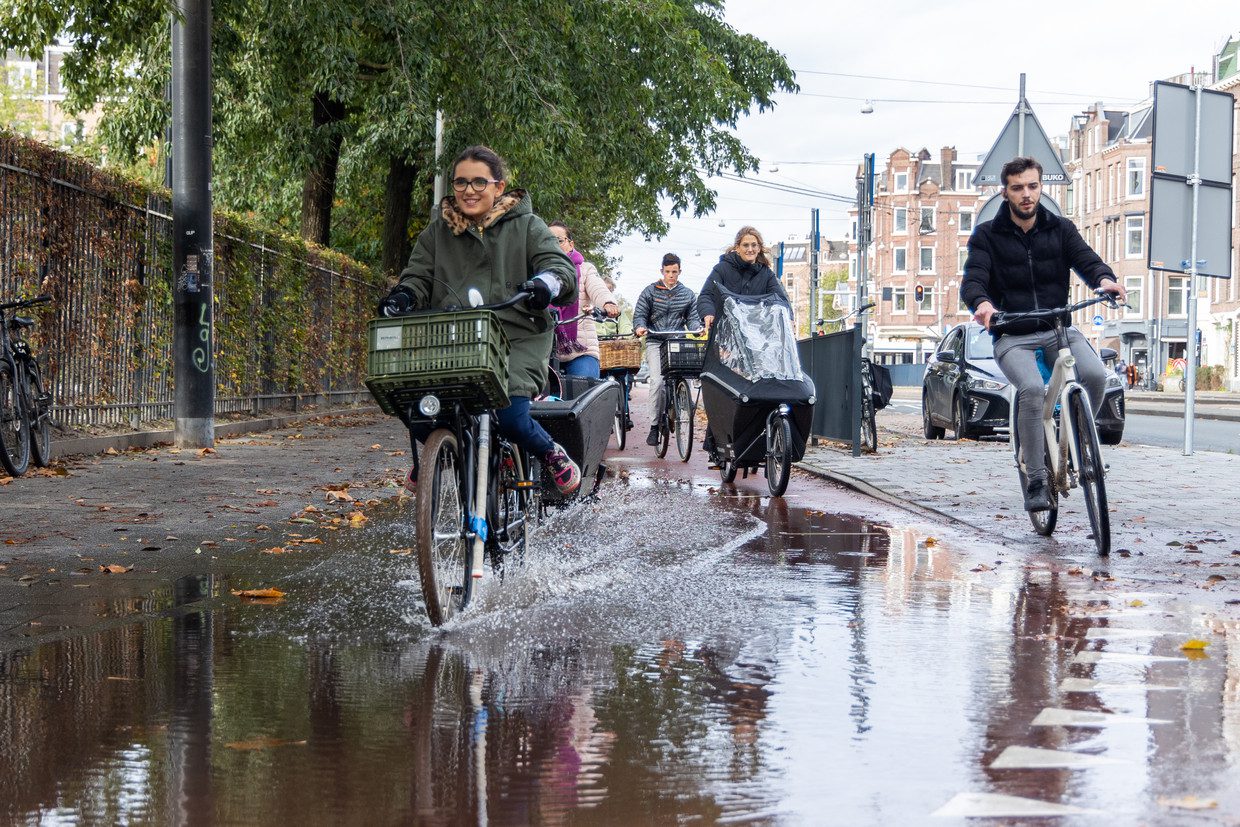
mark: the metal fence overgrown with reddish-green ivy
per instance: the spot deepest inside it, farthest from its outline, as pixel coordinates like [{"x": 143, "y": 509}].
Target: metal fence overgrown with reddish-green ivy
[{"x": 291, "y": 321}]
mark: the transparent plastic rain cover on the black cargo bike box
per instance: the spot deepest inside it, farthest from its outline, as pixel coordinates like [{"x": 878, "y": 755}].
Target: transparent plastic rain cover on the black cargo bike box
[{"x": 757, "y": 342}]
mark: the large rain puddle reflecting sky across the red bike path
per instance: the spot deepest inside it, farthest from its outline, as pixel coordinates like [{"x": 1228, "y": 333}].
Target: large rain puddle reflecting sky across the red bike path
[{"x": 662, "y": 659}]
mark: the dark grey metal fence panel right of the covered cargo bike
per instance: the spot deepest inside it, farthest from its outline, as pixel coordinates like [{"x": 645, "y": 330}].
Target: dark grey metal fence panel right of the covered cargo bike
[{"x": 834, "y": 363}]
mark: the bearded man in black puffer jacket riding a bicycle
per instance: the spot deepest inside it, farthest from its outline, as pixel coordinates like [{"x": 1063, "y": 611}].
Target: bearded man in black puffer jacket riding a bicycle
[{"x": 1020, "y": 262}]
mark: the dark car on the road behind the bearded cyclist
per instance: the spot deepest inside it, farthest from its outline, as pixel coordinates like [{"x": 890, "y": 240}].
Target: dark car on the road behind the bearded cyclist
[{"x": 965, "y": 391}]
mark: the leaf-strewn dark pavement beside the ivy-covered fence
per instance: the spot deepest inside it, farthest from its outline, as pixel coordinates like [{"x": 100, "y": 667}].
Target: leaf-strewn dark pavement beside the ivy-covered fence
[{"x": 162, "y": 514}]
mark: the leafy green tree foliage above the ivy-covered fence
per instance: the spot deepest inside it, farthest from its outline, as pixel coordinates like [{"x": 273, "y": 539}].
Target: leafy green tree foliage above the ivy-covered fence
[{"x": 604, "y": 110}]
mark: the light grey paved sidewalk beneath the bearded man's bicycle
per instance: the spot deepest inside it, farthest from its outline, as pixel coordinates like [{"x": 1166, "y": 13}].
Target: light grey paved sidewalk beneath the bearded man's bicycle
[{"x": 1172, "y": 516}]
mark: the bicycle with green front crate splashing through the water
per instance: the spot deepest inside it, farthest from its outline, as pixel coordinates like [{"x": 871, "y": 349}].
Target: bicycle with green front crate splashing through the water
[{"x": 445, "y": 375}]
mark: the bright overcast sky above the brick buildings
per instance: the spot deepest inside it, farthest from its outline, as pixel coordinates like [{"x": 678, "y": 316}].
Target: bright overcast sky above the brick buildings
[{"x": 1104, "y": 50}]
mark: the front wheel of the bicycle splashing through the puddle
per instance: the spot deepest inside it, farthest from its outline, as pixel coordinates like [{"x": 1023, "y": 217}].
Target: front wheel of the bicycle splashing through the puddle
[{"x": 443, "y": 549}]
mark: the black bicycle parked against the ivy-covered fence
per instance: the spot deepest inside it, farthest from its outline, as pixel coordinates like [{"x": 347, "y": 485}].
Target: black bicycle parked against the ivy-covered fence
[{"x": 25, "y": 405}]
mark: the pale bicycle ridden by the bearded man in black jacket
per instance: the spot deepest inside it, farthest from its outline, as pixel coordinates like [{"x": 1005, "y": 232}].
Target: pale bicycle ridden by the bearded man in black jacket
[{"x": 1074, "y": 457}]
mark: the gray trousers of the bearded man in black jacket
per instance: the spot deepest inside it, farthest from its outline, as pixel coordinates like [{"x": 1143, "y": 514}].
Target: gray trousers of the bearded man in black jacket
[{"x": 1016, "y": 359}]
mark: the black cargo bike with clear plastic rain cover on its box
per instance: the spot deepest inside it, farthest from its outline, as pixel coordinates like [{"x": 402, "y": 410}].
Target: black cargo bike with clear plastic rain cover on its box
[{"x": 759, "y": 405}]
